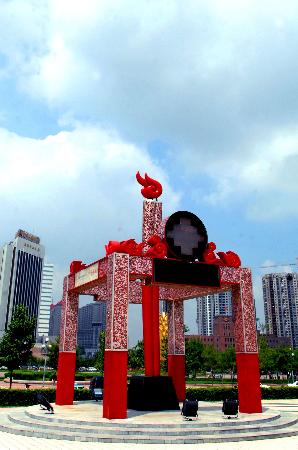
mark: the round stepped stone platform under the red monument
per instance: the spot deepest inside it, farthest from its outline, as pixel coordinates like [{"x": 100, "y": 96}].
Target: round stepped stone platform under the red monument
[{"x": 83, "y": 421}]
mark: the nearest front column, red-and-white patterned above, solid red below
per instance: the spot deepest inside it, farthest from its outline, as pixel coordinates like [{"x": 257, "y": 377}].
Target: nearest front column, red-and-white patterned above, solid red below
[{"x": 116, "y": 352}]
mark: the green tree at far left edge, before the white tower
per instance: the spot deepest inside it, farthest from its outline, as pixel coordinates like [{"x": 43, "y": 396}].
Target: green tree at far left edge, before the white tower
[{"x": 17, "y": 341}]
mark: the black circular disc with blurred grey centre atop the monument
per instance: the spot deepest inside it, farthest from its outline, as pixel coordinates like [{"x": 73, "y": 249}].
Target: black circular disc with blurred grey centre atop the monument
[{"x": 186, "y": 236}]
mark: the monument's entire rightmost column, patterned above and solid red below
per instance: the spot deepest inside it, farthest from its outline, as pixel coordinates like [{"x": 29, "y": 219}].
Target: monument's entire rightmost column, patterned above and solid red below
[{"x": 247, "y": 359}]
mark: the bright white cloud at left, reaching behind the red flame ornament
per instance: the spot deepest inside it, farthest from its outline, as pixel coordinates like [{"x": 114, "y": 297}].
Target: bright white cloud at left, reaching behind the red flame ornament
[{"x": 76, "y": 190}]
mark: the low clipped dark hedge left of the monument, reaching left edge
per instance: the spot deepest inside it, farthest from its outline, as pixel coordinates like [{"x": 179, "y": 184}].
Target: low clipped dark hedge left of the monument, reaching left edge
[{"x": 27, "y": 397}]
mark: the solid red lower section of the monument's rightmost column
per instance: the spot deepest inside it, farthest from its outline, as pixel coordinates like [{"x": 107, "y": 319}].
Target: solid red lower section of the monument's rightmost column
[{"x": 248, "y": 377}]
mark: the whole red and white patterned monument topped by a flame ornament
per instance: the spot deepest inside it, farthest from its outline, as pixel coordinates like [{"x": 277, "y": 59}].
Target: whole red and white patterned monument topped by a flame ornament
[{"x": 174, "y": 262}]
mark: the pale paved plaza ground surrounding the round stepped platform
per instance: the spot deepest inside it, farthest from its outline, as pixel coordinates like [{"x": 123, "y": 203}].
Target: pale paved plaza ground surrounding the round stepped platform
[{"x": 18, "y": 442}]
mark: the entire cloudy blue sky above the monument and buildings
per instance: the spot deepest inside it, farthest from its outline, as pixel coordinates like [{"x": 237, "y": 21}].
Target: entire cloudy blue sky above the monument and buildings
[{"x": 202, "y": 95}]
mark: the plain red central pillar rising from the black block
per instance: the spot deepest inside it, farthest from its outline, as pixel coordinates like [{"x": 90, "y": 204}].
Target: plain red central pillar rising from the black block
[{"x": 150, "y": 312}]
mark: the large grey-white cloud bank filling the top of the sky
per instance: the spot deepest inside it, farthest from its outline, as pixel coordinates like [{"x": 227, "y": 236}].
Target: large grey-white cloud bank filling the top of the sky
[{"x": 214, "y": 80}]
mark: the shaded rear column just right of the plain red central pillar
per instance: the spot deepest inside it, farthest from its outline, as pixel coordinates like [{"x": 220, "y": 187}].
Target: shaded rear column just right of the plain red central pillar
[{"x": 176, "y": 347}]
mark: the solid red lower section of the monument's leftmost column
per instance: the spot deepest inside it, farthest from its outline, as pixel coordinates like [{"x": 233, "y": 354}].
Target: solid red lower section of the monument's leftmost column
[{"x": 65, "y": 378}]
